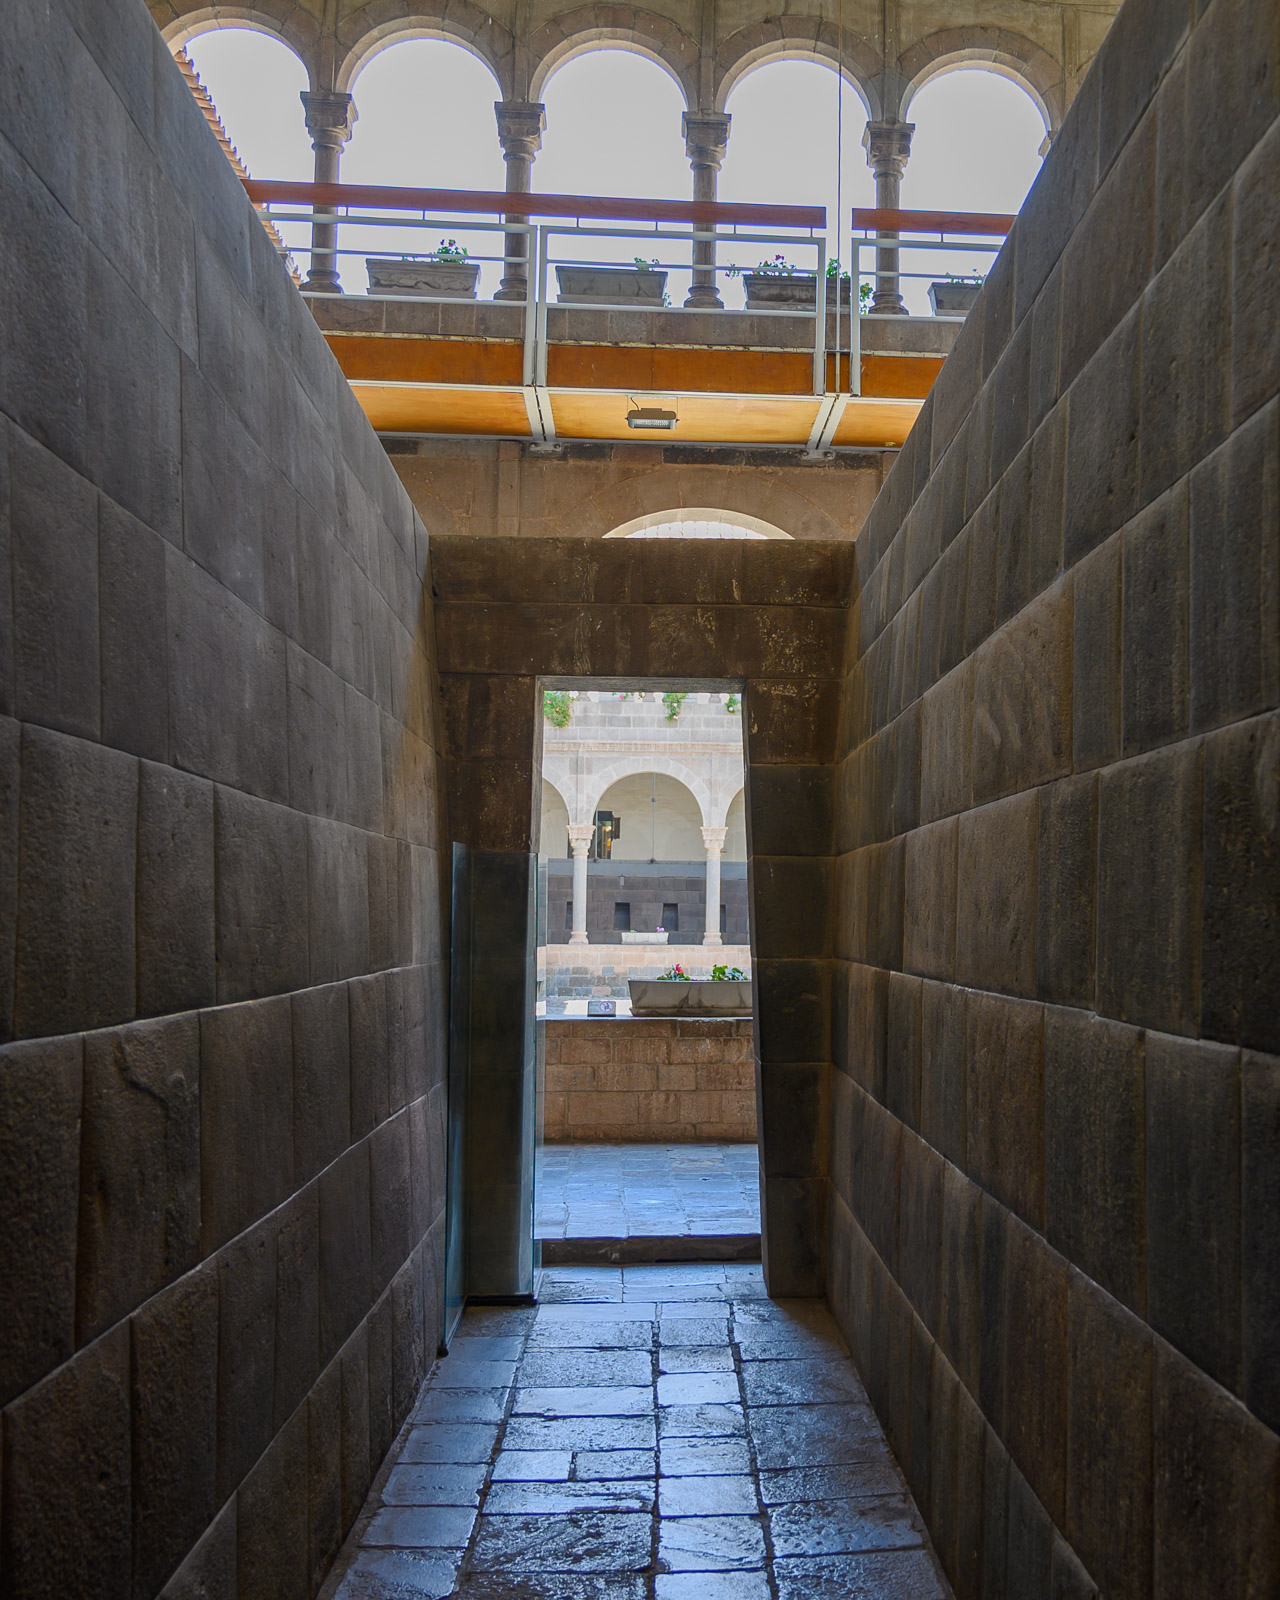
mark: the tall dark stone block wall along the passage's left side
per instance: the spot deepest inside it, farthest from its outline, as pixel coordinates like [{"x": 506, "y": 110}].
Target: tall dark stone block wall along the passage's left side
[{"x": 222, "y": 994}]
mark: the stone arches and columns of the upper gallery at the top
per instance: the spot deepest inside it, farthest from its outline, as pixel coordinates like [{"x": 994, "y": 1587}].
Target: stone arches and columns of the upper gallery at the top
[{"x": 1047, "y": 55}]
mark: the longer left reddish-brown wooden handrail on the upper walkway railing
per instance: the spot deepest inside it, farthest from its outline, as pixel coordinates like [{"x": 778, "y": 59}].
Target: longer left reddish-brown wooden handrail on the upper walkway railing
[{"x": 265, "y": 191}]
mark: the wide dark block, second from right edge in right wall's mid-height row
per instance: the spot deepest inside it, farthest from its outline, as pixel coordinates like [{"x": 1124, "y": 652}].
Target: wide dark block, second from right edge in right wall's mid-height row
[{"x": 1150, "y": 815}]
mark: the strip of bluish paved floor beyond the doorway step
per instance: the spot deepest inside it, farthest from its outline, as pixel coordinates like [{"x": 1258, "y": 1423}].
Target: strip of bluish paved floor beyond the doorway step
[{"x": 625, "y": 1191}]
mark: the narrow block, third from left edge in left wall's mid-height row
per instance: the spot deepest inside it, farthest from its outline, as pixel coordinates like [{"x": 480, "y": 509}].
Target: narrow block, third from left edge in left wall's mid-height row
[{"x": 175, "y": 892}]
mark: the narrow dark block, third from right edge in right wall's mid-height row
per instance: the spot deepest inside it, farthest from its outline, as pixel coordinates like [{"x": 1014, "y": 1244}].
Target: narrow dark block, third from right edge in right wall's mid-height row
[{"x": 1066, "y": 890}]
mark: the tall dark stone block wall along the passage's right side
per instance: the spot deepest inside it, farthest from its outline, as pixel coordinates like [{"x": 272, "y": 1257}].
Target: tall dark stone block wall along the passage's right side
[{"x": 1057, "y": 1103}]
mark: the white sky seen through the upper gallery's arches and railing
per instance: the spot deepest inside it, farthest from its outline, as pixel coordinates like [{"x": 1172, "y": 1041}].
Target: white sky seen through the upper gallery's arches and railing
[{"x": 614, "y": 127}]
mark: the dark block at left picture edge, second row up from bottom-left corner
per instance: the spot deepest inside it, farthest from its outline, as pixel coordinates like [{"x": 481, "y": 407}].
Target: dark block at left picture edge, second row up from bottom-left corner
[{"x": 41, "y": 1087}]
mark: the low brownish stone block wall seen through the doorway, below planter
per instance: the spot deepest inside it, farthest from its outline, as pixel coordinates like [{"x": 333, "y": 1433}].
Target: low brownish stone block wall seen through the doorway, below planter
[{"x": 650, "y": 1081}]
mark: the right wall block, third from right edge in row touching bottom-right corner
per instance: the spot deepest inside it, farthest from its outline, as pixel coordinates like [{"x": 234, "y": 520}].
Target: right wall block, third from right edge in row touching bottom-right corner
[{"x": 1110, "y": 1431}]
